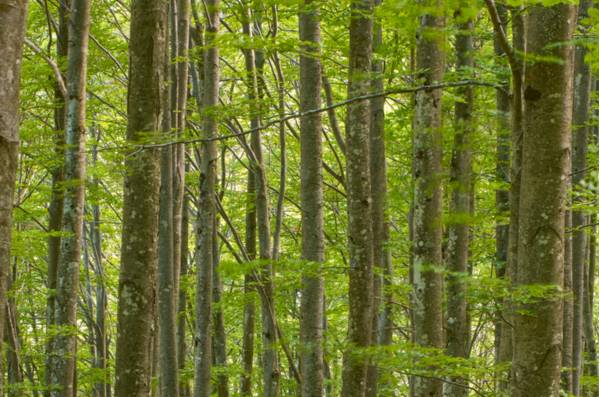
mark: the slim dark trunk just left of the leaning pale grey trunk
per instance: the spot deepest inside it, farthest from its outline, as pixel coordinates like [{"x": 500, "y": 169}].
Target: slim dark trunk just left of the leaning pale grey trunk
[{"x": 55, "y": 206}]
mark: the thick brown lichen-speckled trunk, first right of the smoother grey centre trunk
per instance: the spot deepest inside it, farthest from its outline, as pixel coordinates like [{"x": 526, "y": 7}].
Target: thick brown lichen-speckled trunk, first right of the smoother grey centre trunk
[{"x": 360, "y": 233}]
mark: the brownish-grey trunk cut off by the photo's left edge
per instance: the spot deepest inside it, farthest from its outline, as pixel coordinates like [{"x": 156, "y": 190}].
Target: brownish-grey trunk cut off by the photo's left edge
[{"x": 13, "y": 14}]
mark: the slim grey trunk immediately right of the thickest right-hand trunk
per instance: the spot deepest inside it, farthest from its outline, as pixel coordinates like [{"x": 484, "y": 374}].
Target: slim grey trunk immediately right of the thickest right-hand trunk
[{"x": 581, "y": 104}]
